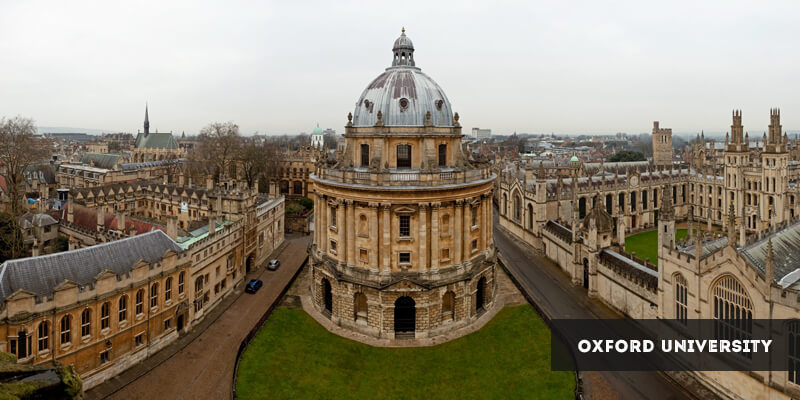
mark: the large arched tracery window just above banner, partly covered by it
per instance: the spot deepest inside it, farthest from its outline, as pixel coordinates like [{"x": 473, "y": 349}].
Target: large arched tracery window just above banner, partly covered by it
[{"x": 733, "y": 310}]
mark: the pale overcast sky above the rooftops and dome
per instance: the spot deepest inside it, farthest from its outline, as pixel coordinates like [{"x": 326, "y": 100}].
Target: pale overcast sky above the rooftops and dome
[{"x": 282, "y": 66}]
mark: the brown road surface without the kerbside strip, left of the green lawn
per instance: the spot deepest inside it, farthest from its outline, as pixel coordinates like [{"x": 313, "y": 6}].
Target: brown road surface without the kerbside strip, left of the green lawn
[{"x": 204, "y": 368}]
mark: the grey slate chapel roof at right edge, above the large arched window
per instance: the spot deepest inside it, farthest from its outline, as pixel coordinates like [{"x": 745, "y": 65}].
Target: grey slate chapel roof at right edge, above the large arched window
[{"x": 785, "y": 250}]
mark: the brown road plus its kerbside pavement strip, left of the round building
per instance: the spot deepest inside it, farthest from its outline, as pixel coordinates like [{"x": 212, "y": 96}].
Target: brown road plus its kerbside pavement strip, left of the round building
[{"x": 200, "y": 364}]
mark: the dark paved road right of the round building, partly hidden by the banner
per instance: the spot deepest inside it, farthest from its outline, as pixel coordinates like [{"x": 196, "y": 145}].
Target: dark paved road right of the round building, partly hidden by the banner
[{"x": 554, "y": 293}]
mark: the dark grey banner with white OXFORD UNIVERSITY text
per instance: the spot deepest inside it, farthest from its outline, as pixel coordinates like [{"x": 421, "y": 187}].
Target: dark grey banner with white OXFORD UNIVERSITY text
[{"x": 672, "y": 345}]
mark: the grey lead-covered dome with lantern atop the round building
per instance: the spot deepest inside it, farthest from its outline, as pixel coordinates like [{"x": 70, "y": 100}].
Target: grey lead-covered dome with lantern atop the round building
[{"x": 403, "y": 94}]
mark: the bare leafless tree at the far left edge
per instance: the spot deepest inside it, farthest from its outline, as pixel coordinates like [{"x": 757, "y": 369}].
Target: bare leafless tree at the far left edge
[{"x": 19, "y": 149}]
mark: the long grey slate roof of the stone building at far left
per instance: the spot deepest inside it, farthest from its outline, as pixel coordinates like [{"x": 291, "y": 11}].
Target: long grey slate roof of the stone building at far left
[{"x": 41, "y": 275}]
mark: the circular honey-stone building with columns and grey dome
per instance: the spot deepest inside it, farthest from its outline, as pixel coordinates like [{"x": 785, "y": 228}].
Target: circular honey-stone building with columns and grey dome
[{"x": 403, "y": 241}]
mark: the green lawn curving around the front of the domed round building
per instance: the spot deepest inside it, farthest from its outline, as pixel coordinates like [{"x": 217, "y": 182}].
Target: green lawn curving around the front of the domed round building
[{"x": 293, "y": 357}]
